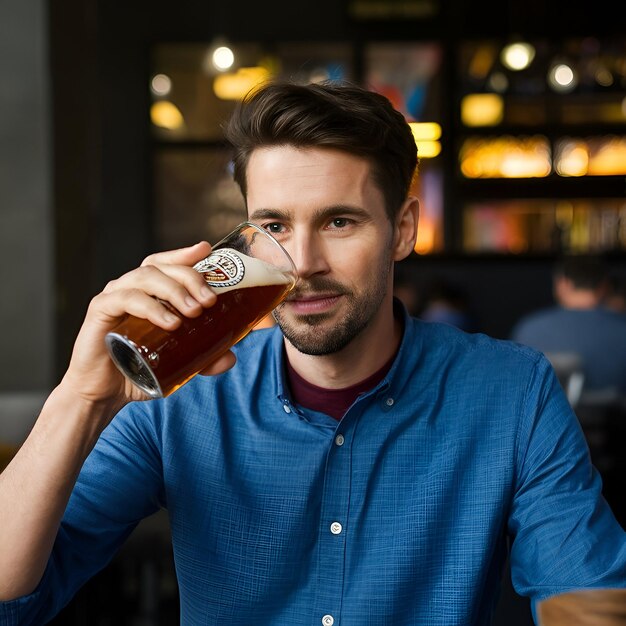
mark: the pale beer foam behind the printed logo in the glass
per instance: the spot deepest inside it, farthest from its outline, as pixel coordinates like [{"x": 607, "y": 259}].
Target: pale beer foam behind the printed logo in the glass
[{"x": 223, "y": 273}]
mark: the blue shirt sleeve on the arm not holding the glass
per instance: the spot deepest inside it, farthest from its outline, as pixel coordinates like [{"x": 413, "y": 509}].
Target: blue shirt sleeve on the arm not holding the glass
[{"x": 565, "y": 536}]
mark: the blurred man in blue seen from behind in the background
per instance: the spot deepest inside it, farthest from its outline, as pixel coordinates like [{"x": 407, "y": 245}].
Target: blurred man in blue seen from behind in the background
[{"x": 580, "y": 324}]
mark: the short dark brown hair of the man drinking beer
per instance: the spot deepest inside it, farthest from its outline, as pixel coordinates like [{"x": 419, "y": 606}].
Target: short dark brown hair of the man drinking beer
[{"x": 332, "y": 115}]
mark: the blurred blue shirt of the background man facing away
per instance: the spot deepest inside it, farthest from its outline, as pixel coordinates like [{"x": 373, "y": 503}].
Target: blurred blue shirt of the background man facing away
[{"x": 597, "y": 335}]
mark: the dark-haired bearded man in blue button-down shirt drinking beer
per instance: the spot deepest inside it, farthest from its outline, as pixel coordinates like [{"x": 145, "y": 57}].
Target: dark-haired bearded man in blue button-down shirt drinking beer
[{"x": 355, "y": 467}]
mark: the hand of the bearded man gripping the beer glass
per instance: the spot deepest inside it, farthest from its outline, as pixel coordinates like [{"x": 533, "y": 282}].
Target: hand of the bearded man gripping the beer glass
[{"x": 167, "y": 276}]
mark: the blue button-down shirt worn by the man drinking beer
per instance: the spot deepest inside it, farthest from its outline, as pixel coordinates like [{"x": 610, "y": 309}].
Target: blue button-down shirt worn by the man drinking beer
[{"x": 398, "y": 514}]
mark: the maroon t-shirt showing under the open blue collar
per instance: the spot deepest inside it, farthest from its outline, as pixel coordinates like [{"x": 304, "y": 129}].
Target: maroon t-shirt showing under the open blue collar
[{"x": 333, "y": 402}]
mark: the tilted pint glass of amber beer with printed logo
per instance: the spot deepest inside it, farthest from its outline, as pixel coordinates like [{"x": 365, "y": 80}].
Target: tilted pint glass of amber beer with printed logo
[{"x": 250, "y": 272}]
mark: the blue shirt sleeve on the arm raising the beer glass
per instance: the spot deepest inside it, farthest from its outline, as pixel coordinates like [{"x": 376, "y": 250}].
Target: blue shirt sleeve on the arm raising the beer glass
[{"x": 120, "y": 484}]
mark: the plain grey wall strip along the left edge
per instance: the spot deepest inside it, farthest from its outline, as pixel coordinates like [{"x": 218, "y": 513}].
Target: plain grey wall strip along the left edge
[{"x": 25, "y": 242}]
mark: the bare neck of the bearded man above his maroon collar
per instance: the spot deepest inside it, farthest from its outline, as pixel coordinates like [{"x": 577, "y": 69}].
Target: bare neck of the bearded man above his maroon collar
[{"x": 361, "y": 358}]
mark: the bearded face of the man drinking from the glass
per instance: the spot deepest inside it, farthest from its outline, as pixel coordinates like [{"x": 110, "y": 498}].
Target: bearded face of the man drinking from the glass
[{"x": 325, "y": 209}]
